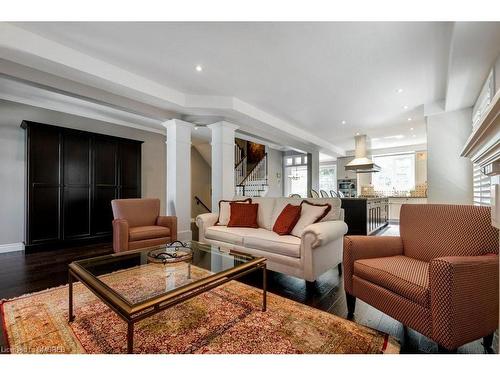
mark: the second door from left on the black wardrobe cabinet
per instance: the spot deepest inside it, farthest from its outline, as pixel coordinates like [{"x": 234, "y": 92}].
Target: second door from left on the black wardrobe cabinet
[{"x": 76, "y": 177}]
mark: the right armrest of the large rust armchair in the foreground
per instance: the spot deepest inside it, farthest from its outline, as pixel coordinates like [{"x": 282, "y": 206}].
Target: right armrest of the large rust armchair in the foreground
[{"x": 464, "y": 298}]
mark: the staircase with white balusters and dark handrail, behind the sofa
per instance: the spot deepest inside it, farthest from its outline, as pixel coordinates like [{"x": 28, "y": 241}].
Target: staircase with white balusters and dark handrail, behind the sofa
[{"x": 254, "y": 182}]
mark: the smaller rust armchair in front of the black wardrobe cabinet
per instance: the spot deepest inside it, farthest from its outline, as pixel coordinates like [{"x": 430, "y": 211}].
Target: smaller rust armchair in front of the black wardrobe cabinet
[{"x": 138, "y": 224}]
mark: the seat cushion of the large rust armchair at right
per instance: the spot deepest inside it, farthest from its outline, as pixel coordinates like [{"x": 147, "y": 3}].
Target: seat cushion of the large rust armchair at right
[{"x": 407, "y": 277}]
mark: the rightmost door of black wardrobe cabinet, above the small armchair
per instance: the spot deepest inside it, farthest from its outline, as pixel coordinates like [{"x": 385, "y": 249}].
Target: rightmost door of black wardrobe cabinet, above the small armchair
[{"x": 130, "y": 170}]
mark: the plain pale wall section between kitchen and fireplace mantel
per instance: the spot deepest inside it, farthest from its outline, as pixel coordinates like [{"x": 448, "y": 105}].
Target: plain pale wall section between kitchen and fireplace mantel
[{"x": 449, "y": 176}]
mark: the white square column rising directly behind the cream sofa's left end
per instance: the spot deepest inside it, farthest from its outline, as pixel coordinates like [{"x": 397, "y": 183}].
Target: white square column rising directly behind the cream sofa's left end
[{"x": 222, "y": 162}]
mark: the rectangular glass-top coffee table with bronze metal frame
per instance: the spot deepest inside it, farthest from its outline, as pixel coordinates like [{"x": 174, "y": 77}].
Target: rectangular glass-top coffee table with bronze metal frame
[{"x": 159, "y": 277}]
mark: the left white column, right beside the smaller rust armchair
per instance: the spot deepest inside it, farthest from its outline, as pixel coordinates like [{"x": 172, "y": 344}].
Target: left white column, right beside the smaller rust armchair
[{"x": 179, "y": 175}]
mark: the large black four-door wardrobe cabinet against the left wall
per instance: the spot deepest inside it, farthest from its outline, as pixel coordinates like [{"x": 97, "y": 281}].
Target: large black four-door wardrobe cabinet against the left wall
[{"x": 72, "y": 176}]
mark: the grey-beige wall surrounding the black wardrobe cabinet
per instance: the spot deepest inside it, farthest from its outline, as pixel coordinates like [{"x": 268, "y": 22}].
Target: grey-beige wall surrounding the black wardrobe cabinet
[{"x": 12, "y": 160}]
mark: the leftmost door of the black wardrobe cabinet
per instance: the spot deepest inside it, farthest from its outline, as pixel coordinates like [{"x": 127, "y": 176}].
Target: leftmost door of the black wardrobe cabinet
[{"x": 44, "y": 188}]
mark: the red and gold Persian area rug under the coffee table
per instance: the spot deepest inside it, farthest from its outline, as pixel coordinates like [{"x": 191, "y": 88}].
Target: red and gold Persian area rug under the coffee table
[{"x": 225, "y": 320}]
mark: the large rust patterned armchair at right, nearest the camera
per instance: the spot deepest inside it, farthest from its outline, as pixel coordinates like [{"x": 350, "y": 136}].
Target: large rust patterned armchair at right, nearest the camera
[{"x": 440, "y": 277}]
